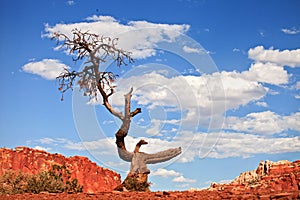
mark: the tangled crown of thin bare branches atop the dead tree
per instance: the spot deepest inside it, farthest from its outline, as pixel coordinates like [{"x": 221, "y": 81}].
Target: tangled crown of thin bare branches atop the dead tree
[{"x": 97, "y": 50}]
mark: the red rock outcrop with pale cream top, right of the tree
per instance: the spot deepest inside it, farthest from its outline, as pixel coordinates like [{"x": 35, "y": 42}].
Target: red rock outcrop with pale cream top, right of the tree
[{"x": 282, "y": 177}]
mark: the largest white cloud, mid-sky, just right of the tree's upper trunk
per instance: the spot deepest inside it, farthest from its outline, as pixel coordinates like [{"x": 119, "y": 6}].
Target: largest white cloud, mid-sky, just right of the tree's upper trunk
[{"x": 209, "y": 95}]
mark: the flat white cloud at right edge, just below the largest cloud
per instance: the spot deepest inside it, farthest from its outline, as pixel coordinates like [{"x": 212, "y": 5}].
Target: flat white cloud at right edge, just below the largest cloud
[{"x": 264, "y": 123}]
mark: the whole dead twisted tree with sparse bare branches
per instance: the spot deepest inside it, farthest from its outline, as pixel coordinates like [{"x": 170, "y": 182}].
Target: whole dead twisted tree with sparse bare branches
[{"x": 92, "y": 81}]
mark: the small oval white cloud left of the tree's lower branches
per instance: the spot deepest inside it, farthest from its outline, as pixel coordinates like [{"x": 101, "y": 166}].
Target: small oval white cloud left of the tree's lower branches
[{"x": 47, "y": 68}]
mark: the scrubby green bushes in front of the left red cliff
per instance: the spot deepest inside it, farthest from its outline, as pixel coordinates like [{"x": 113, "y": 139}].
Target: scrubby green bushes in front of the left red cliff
[{"x": 56, "y": 180}]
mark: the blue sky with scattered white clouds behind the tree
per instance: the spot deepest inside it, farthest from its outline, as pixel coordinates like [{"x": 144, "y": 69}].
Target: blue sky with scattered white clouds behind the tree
[{"x": 221, "y": 79}]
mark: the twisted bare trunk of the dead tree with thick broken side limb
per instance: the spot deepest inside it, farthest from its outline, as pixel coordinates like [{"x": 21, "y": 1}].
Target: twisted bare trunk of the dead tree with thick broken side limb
[{"x": 137, "y": 179}]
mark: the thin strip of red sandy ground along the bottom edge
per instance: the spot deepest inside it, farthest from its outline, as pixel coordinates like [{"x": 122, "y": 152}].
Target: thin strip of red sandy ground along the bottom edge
[{"x": 204, "y": 194}]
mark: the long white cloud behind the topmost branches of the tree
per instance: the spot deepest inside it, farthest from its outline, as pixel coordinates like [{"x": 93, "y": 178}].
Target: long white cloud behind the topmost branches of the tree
[{"x": 146, "y": 34}]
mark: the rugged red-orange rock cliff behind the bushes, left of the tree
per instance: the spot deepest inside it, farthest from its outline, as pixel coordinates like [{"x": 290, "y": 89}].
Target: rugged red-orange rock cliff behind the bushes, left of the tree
[{"x": 93, "y": 178}]
